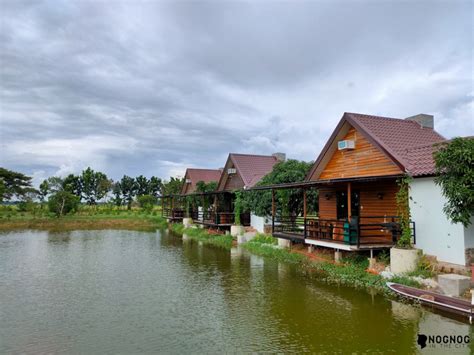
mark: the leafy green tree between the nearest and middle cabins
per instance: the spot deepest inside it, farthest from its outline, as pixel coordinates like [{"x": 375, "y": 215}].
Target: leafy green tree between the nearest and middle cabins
[{"x": 291, "y": 200}]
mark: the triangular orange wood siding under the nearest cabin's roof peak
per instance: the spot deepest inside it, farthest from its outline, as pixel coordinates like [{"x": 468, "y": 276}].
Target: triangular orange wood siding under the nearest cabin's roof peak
[{"x": 364, "y": 160}]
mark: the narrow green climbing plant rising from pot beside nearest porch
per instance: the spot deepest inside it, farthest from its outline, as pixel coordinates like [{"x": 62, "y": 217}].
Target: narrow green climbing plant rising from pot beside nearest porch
[{"x": 403, "y": 210}]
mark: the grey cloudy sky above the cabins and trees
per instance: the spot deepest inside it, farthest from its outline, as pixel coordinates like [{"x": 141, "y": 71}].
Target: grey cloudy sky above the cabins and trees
[{"x": 154, "y": 87}]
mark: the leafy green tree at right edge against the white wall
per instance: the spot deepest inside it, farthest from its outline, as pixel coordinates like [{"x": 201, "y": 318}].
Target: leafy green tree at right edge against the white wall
[{"x": 454, "y": 161}]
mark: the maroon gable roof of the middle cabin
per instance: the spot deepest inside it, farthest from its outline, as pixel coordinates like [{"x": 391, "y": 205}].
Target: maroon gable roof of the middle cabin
[{"x": 250, "y": 167}]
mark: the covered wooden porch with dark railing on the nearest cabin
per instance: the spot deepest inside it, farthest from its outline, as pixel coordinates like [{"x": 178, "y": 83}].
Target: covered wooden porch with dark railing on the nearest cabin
[{"x": 353, "y": 214}]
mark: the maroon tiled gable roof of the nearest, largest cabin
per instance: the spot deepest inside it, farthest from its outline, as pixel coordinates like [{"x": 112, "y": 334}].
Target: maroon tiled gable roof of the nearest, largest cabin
[{"x": 401, "y": 140}]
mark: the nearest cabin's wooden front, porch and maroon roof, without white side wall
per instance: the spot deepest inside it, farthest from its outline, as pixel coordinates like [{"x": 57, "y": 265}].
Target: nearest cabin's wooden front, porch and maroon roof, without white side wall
[{"x": 356, "y": 174}]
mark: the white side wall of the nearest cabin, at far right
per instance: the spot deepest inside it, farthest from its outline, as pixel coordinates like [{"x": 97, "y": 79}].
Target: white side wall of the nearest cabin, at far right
[{"x": 435, "y": 234}]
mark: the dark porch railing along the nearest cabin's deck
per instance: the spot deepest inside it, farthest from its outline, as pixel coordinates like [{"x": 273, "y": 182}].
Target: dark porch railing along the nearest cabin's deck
[{"x": 358, "y": 231}]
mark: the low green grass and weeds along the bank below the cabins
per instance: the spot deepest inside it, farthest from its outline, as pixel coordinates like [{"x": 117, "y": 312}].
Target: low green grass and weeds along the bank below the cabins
[{"x": 350, "y": 272}]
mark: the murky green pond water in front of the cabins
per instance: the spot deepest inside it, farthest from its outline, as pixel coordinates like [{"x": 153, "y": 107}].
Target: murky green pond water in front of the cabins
[{"x": 134, "y": 292}]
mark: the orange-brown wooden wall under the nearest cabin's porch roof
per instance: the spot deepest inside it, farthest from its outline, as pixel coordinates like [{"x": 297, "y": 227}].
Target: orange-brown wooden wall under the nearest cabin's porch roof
[{"x": 370, "y": 204}]
